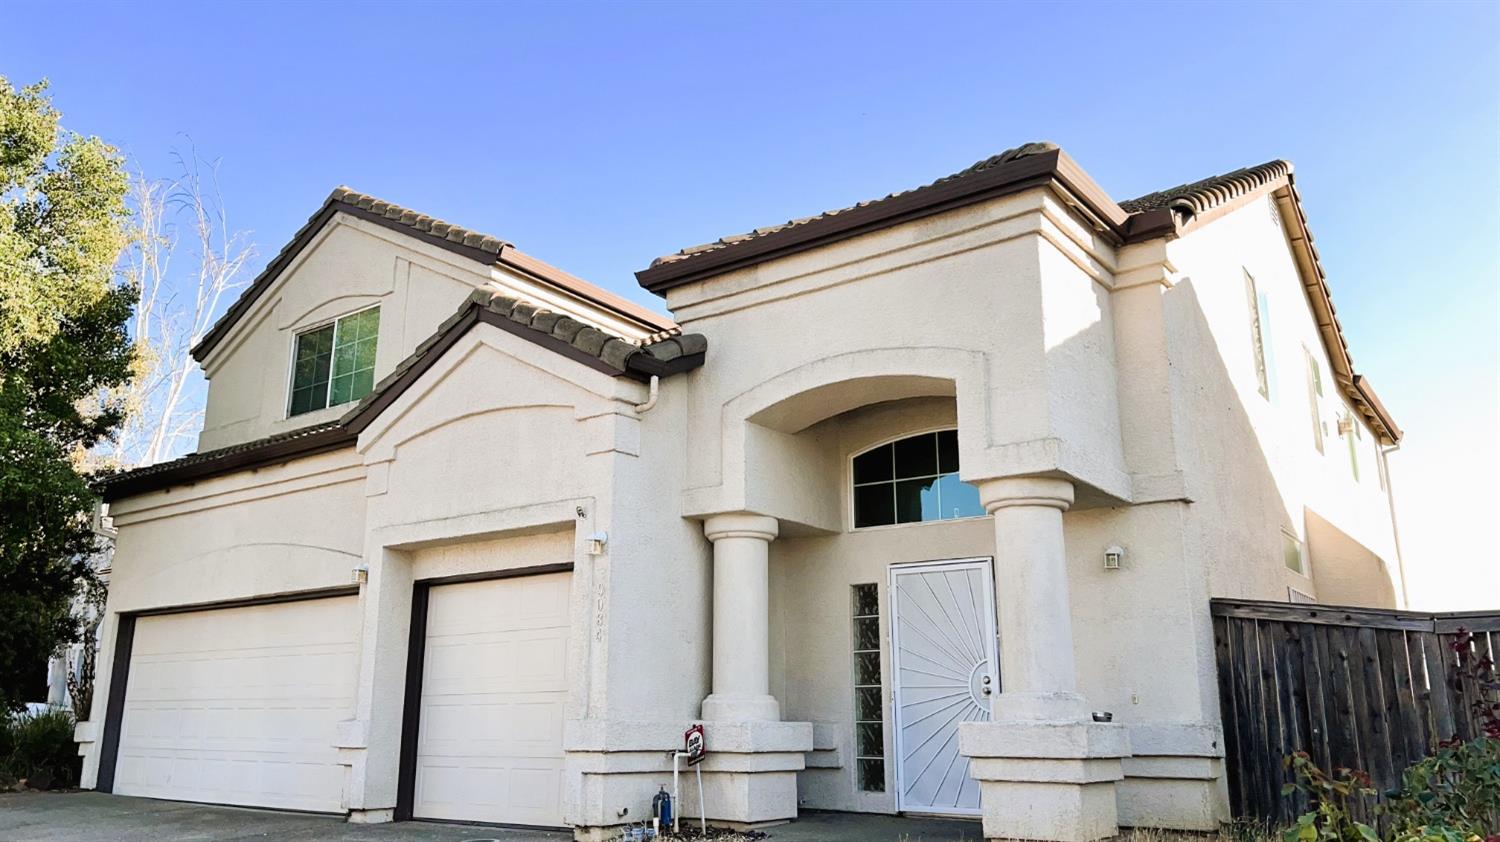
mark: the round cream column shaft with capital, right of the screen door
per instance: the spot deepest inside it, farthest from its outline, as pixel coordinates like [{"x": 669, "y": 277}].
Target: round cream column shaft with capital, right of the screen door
[{"x": 1039, "y": 678}]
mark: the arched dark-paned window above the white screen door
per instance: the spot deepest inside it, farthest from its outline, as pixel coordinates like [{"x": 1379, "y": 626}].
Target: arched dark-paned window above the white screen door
[{"x": 911, "y": 481}]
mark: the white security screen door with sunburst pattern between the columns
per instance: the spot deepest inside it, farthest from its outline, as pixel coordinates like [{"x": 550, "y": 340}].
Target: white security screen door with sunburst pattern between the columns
[{"x": 946, "y": 664}]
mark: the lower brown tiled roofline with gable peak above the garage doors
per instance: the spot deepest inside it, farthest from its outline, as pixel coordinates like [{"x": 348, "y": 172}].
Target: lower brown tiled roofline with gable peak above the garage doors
[{"x": 610, "y": 355}]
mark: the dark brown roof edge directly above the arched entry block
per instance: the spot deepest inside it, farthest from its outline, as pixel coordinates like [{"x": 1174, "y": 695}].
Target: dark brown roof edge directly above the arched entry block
[{"x": 1022, "y": 169}]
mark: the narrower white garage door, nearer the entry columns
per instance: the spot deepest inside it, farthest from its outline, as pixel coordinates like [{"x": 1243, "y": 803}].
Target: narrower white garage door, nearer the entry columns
[{"x": 494, "y": 679}]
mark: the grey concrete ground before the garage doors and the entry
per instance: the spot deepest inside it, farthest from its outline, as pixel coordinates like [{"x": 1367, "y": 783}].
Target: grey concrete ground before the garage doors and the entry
[{"x": 95, "y": 817}]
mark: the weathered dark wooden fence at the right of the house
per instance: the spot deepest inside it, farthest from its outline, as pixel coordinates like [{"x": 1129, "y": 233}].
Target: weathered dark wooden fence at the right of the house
[{"x": 1355, "y": 688}]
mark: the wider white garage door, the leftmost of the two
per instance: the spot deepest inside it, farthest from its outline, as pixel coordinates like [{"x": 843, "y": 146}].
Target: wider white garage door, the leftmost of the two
[{"x": 238, "y": 706}]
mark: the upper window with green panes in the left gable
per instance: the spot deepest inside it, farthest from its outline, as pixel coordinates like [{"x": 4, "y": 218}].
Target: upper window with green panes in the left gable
[{"x": 335, "y": 364}]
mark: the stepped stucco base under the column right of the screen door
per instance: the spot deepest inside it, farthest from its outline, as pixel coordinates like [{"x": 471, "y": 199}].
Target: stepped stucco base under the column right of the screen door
[{"x": 1046, "y": 780}]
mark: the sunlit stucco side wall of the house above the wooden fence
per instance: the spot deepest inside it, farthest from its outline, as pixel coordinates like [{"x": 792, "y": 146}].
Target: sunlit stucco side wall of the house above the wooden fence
[{"x": 1253, "y": 465}]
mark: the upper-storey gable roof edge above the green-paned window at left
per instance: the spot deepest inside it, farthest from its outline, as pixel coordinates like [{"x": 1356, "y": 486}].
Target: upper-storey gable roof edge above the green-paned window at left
[{"x": 464, "y": 242}]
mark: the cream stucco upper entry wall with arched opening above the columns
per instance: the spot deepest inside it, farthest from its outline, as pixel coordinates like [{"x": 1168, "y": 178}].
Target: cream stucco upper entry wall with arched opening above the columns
[{"x": 950, "y": 305}]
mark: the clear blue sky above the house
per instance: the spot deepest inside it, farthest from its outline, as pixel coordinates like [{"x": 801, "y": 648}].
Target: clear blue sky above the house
[{"x": 601, "y": 136}]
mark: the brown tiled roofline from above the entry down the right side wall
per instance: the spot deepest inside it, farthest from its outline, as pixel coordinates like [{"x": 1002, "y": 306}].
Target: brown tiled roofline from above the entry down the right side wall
[{"x": 1163, "y": 214}]
